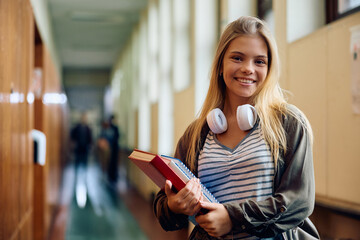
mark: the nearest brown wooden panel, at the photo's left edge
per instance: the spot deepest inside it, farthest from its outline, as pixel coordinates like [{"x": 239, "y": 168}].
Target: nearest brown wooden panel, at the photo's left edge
[{"x": 16, "y": 63}]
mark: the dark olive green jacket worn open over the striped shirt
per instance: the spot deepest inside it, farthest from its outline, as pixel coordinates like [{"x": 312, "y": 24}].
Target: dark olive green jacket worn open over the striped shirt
[{"x": 285, "y": 214}]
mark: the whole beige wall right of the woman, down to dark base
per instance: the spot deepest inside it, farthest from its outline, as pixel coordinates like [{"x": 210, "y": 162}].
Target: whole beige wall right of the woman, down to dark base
[{"x": 319, "y": 76}]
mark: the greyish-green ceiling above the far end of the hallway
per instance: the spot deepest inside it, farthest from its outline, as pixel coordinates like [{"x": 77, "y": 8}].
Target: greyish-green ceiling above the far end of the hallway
[{"x": 90, "y": 34}]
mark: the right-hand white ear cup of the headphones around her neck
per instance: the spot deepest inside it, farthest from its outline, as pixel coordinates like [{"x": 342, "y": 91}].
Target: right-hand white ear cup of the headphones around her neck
[{"x": 246, "y": 116}]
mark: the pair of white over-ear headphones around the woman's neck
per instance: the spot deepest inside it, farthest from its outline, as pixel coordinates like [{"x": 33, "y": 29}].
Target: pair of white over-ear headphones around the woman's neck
[{"x": 246, "y": 117}]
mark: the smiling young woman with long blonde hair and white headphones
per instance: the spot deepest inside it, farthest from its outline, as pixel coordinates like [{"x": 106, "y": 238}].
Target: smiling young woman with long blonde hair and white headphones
[{"x": 262, "y": 176}]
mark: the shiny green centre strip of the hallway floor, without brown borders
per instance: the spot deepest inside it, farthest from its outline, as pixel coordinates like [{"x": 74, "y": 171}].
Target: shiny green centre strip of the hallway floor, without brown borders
[{"x": 97, "y": 213}]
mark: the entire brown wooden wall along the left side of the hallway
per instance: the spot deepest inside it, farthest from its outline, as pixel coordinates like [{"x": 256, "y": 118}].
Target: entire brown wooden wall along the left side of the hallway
[{"x": 24, "y": 205}]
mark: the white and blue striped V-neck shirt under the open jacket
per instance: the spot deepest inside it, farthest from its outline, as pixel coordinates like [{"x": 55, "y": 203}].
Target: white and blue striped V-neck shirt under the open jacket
[{"x": 236, "y": 175}]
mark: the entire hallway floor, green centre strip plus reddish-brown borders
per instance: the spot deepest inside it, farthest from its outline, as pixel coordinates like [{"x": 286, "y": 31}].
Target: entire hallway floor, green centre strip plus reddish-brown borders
[{"x": 92, "y": 209}]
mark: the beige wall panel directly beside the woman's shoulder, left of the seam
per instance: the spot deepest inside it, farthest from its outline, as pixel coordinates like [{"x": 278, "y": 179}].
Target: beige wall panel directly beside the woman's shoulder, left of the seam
[{"x": 315, "y": 95}]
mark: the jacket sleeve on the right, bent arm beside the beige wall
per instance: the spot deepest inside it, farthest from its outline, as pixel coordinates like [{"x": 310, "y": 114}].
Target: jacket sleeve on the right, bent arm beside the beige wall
[{"x": 294, "y": 193}]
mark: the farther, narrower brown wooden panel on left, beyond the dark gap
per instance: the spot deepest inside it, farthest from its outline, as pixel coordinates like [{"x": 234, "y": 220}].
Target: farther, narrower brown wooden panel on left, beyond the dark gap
[{"x": 50, "y": 118}]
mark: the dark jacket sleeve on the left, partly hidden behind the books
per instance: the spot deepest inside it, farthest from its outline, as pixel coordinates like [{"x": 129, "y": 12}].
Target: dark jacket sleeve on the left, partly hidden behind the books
[{"x": 169, "y": 220}]
